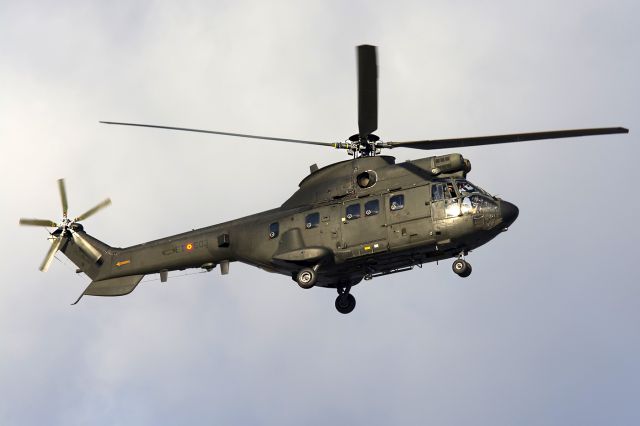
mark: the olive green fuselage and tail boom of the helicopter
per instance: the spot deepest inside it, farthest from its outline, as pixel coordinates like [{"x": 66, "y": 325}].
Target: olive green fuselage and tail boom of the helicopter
[{"x": 346, "y": 227}]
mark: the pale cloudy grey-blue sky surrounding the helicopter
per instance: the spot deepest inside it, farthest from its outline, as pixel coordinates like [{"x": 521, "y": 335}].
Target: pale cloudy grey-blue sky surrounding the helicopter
[{"x": 545, "y": 331}]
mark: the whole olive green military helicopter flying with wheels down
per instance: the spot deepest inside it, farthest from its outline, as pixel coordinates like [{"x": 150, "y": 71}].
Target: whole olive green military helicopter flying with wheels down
[{"x": 362, "y": 218}]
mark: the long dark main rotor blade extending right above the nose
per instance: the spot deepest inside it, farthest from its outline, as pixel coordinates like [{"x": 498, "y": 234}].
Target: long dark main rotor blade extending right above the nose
[{"x": 498, "y": 139}]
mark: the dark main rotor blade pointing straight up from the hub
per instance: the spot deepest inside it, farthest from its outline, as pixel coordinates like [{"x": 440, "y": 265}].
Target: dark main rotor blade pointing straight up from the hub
[{"x": 367, "y": 90}]
